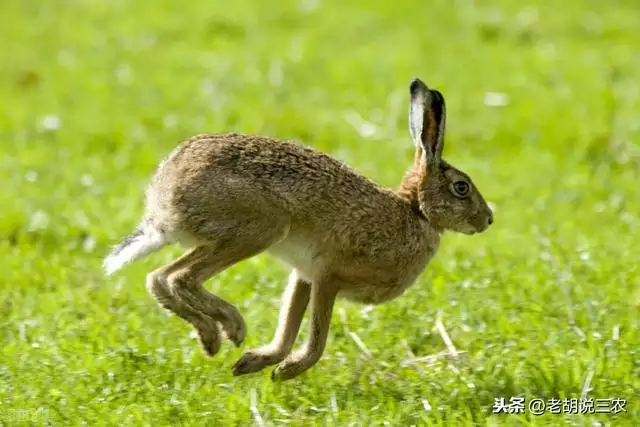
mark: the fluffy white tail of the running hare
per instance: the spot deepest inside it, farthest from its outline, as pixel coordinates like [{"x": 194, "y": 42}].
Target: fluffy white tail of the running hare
[{"x": 141, "y": 243}]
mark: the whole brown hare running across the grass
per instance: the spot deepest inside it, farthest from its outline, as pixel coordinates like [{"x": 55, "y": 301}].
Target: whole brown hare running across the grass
[{"x": 228, "y": 197}]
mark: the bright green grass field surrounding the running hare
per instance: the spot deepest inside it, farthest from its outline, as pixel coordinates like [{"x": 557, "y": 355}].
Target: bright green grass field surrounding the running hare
[{"x": 543, "y": 106}]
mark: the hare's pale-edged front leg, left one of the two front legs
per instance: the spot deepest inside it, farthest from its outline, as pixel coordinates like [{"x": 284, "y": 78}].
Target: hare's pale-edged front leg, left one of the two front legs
[{"x": 294, "y": 303}]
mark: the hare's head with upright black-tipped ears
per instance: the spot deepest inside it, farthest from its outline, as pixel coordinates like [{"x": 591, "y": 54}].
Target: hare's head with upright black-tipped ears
[{"x": 446, "y": 196}]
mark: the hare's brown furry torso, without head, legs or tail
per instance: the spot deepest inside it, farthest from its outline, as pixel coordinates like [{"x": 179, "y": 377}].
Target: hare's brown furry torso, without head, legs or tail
[{"x": 300, "y": 194}]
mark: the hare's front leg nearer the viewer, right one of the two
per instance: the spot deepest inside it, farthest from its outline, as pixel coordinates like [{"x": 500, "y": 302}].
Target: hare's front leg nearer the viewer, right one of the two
[{"x": 323, "y": 296}]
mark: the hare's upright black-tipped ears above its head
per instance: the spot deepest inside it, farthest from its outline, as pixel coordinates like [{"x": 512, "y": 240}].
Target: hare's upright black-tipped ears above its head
[{"x": 427, "y": 118}]
